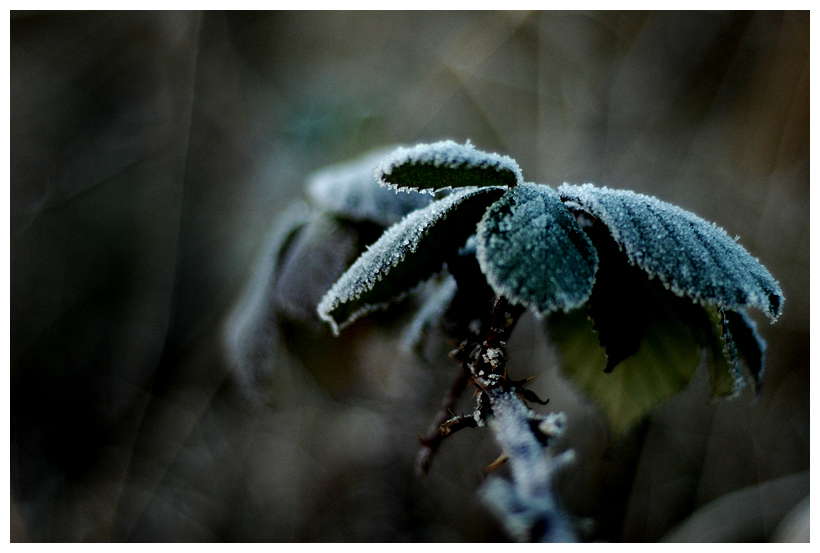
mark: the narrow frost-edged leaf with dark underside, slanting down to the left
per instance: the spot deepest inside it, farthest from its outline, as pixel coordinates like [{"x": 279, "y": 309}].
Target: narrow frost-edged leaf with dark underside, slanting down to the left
[{"x": 407, "y": 253}]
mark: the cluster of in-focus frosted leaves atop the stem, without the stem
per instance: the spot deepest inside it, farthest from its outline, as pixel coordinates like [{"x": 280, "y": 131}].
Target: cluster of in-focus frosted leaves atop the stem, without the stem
[{"x": 630, "y": 285}]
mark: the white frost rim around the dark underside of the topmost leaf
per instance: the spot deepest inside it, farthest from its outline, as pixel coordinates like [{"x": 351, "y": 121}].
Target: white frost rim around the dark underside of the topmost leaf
[{"x": 445, "y": 153}]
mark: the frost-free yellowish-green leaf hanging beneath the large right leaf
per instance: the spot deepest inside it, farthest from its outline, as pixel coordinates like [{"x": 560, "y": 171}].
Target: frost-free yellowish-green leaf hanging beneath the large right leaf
[{"x": 662, "y": 366}]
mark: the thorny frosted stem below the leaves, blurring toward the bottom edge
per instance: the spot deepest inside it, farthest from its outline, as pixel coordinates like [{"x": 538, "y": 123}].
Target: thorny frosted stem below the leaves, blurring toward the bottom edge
[{"x": 527, "y": 505}]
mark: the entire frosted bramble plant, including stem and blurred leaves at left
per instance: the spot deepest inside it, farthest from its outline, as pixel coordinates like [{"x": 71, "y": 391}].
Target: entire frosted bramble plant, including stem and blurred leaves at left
[{"x": 633, "y": 292}]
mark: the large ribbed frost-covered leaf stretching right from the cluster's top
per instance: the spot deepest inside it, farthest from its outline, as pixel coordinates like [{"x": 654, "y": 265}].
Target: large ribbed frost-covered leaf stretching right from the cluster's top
[{"x": 690, "y": 256}]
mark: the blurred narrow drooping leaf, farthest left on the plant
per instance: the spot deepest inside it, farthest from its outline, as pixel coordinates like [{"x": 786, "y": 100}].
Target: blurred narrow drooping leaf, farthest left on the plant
[{"x": 251, "y": 333}]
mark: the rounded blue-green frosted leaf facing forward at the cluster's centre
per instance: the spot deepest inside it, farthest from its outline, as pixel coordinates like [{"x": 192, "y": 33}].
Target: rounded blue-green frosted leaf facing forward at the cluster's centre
[{"x": 533, "y": 252}]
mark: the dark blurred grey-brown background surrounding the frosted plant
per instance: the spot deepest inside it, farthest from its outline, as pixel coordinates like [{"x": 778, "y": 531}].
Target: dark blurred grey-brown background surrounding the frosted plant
[{"x": 150, "y": 156}]
